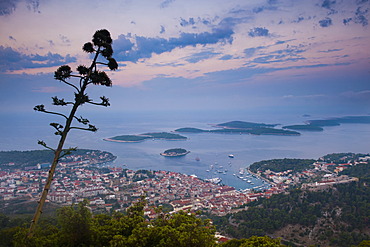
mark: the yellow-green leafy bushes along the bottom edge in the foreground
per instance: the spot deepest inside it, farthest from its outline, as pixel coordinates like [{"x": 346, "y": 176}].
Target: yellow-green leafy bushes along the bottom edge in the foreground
[{"x": 76, "y": 226}]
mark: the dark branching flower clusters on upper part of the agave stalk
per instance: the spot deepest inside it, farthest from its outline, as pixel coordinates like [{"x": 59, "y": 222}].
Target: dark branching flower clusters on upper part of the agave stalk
[{"x": 100, "y": 48}]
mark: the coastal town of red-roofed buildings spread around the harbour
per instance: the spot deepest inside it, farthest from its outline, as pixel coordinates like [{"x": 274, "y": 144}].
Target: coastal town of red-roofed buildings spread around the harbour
[{"x": 116, "y": 188}]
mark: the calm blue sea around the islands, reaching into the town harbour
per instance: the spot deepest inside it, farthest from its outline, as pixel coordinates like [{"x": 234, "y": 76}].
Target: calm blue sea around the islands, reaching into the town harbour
[{"x": 209, "y": 155}]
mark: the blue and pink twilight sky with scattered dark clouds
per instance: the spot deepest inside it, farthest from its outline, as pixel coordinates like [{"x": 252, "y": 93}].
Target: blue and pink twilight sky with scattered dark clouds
[{"x": 306, "y": 57}]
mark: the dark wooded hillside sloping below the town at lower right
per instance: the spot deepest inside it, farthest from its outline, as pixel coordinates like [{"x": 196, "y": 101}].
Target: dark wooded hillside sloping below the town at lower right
[{"x": 337, "y": 216}]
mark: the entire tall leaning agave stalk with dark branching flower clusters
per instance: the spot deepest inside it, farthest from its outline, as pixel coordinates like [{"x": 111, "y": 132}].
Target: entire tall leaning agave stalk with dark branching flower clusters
[{"x": 101, "y": 46}]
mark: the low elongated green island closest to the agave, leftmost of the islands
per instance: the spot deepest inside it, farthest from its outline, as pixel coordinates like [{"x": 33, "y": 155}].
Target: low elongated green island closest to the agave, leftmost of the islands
[{"x": 146, "y": 136}]
